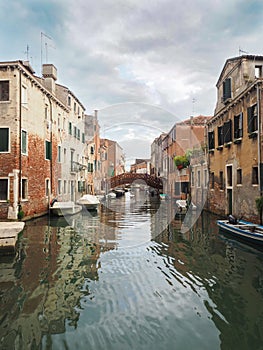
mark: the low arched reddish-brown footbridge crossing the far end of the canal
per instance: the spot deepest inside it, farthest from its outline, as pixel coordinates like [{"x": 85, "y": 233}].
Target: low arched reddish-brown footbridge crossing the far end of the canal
[{"x": 128, "y": 178}]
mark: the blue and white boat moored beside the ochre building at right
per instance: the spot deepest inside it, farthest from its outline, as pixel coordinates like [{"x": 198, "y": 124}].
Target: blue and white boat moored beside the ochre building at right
[{"x": 242, "y": 229}]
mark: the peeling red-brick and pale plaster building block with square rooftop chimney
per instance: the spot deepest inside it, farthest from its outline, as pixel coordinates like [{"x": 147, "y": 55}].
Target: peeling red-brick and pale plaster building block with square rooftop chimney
[{"x": 42, "y": 141}]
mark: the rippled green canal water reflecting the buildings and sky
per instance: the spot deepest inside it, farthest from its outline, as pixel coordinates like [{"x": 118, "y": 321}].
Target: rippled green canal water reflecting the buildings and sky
[{"x": 131, "y": 277}]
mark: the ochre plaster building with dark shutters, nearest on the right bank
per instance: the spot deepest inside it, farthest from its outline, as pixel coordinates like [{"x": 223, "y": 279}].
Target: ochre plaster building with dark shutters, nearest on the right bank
[{"x": 235, "y": 139}]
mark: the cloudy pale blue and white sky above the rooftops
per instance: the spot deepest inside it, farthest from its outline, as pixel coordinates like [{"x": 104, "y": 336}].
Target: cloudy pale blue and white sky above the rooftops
[{"x": 144, "y": 65}]
